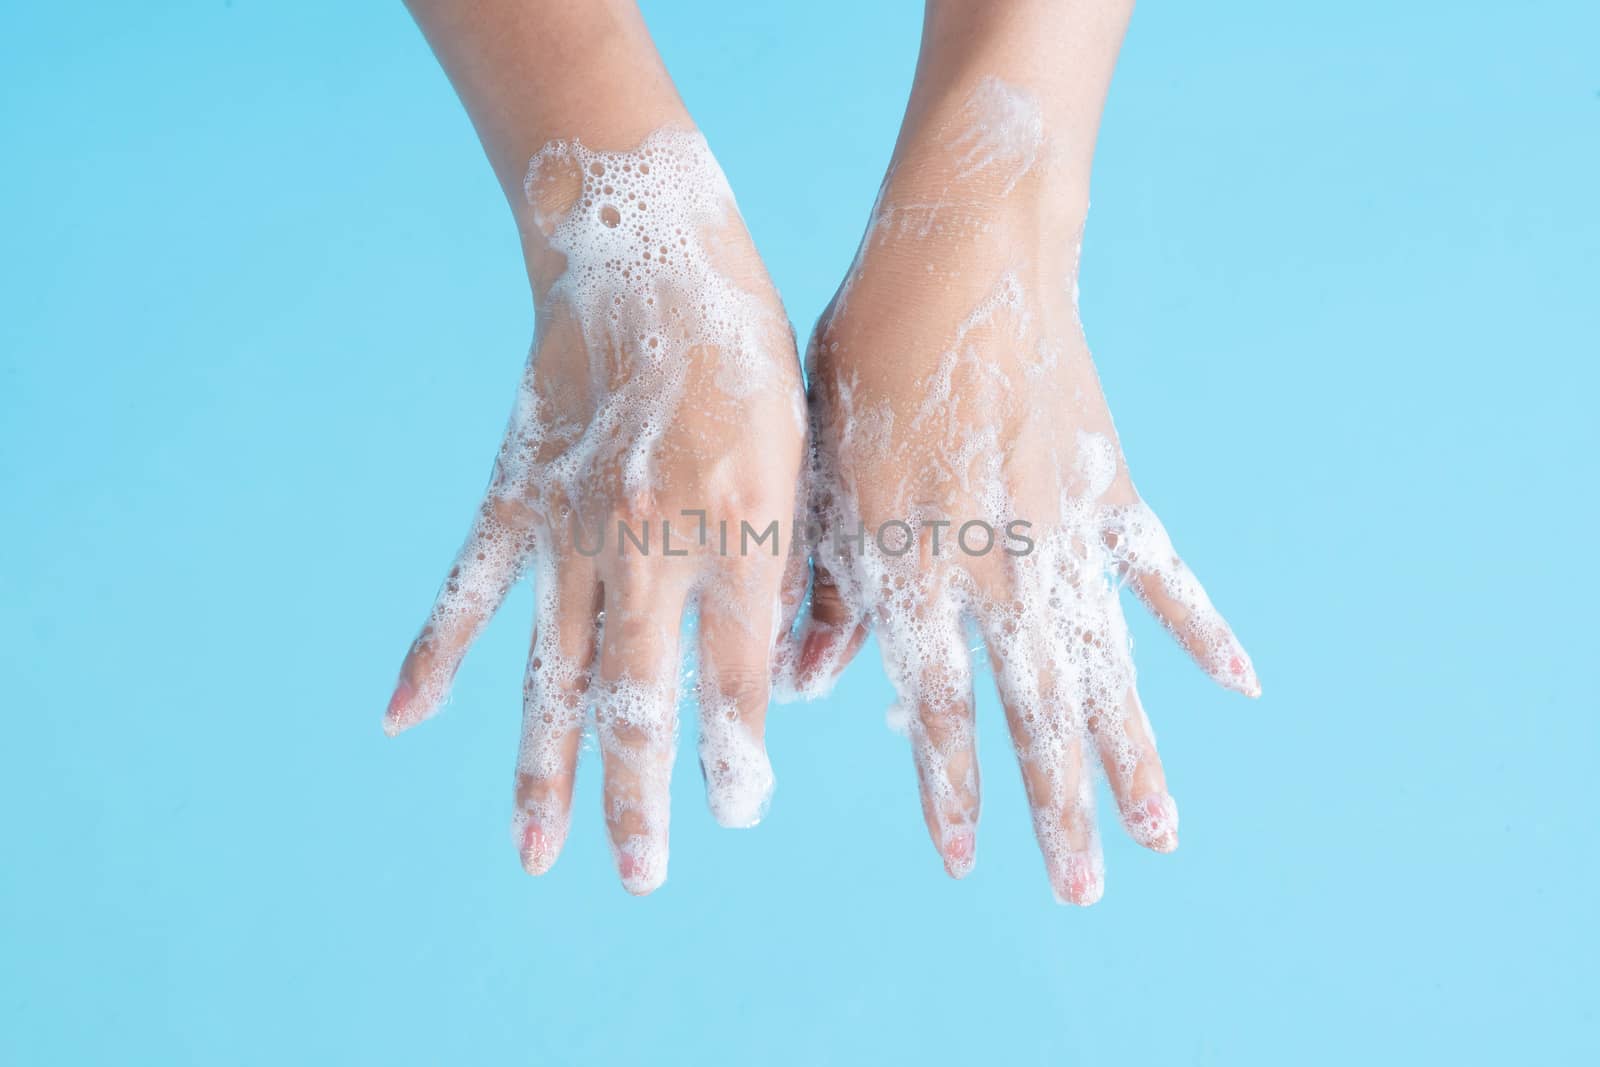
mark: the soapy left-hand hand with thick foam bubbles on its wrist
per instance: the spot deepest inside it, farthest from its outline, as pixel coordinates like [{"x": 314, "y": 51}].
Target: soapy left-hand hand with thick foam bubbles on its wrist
[{"x": 662, "y": 346}]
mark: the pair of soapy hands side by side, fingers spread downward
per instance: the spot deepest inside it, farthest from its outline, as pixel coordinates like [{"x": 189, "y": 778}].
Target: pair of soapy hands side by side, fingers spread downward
[{"x": 954, "y": 470}]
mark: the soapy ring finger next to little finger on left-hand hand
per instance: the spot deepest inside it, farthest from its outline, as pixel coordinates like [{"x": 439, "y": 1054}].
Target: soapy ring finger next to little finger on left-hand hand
[{"x": 564, "y": 649}]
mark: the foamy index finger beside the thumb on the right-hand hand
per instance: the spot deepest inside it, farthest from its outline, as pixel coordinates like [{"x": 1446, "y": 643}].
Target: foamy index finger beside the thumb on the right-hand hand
[{"x": 930, "y": 666}]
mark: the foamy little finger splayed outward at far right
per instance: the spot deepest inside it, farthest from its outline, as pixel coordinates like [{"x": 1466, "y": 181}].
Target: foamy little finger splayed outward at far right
[{"x": 1174, "y": 594}]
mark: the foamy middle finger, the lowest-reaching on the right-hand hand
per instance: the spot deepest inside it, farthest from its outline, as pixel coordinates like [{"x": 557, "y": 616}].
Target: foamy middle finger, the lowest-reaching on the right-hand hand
[{"x": 1039, "y": 689}]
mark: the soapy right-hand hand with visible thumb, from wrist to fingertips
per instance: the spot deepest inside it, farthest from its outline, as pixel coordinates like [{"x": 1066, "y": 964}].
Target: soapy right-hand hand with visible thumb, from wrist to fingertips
[{"x": 959, "y": 423}]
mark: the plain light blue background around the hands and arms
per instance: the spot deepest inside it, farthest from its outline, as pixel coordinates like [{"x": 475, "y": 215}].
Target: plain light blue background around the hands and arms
[{"x": 263, "y": 314}]
